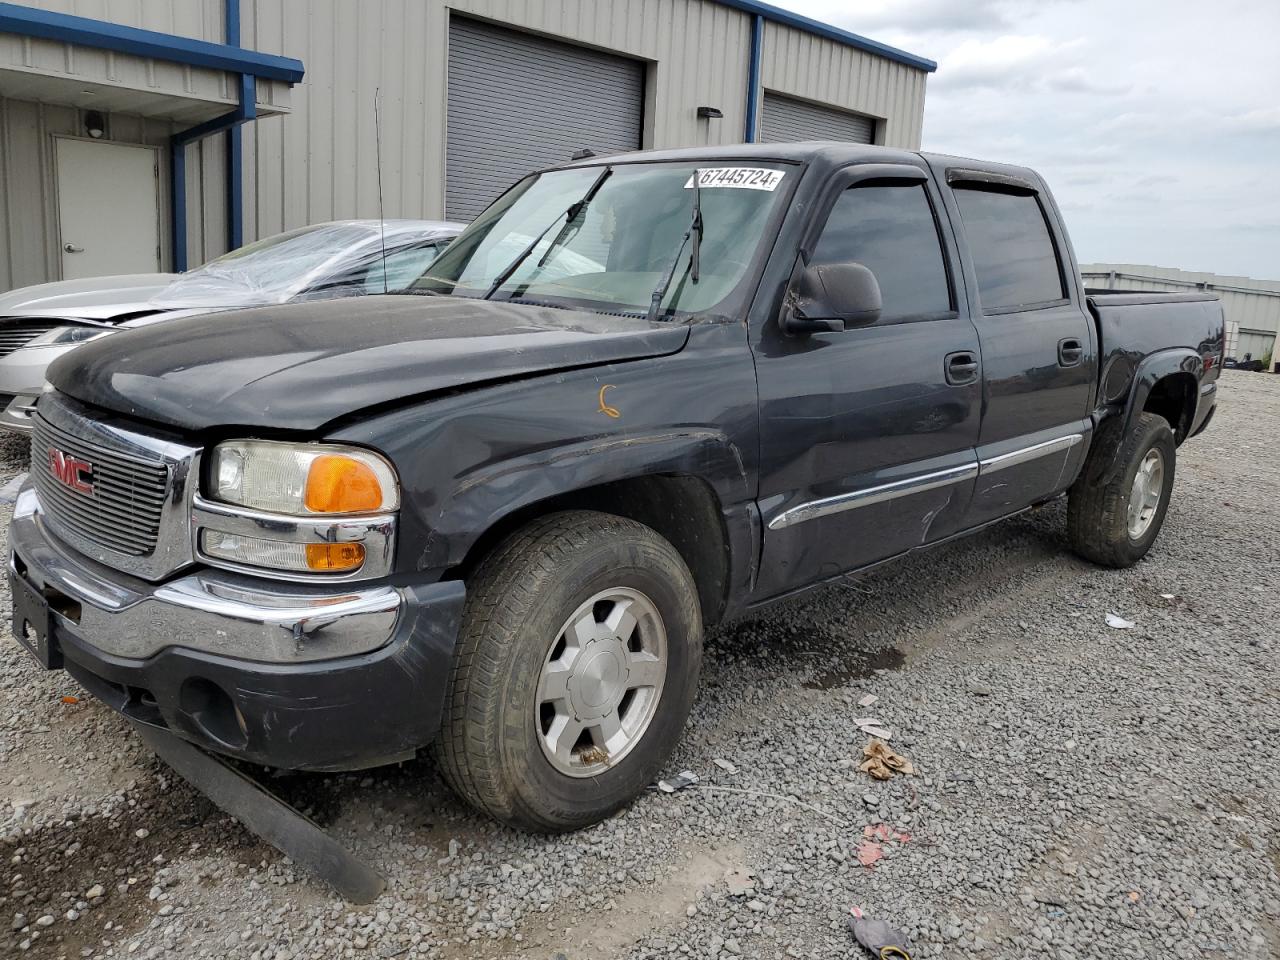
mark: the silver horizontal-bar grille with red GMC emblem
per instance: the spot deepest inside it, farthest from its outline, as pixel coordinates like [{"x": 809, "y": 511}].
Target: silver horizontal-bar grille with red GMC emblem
[{"x": 116, "y": 502}]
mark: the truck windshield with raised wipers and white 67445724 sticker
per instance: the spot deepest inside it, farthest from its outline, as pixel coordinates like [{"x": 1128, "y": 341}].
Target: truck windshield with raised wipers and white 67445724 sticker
[{"x": 611, "y": 253}]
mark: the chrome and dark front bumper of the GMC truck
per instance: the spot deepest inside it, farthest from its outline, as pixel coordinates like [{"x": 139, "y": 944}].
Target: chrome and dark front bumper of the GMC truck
[{"x": 318, "y": 678}]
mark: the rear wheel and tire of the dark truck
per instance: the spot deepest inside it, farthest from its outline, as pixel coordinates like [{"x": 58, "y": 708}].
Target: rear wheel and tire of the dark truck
[{"x": 1099, "y": 514}]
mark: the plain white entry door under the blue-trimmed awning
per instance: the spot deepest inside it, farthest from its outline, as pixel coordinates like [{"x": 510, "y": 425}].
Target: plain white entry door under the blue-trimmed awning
[{"x": 108, "y": 208}]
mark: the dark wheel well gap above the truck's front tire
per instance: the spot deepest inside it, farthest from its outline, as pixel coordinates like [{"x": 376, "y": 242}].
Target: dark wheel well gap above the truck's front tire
[{"x": 684, "y": 510}]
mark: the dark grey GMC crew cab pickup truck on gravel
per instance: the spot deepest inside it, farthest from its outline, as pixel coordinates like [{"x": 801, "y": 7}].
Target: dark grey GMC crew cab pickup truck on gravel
[{"x": 637, "y": 397}]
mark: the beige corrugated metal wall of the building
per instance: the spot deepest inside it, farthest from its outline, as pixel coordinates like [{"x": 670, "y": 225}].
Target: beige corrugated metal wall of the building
[{"x": 319, "y": 163}]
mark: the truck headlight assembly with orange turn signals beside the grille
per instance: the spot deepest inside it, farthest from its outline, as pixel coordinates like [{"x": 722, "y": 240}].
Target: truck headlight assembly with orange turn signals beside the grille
[{"x": 317, "y": 509}]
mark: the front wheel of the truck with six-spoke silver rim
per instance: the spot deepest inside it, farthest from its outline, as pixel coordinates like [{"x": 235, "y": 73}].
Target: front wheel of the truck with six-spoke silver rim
[{"x": 513, "y": 647}]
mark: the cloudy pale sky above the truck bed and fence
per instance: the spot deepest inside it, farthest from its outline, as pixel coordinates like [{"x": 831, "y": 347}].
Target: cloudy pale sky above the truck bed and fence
[{"x": 1156, "y": 122}]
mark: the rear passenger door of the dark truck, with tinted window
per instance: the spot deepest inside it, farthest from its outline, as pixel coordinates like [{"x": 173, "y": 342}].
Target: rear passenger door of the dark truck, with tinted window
[{"x": 1039, "y": 354}]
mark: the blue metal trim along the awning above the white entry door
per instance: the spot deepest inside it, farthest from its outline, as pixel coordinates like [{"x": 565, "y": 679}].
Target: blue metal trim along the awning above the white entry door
[{"x": 84, "y": 31}]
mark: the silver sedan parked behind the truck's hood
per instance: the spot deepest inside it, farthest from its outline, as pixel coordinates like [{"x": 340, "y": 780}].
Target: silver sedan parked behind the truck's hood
[{"x": 341, "y": 259}]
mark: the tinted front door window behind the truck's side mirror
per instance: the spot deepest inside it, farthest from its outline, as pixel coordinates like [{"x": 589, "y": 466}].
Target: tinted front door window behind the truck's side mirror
[{"x": 892, "y": 231}]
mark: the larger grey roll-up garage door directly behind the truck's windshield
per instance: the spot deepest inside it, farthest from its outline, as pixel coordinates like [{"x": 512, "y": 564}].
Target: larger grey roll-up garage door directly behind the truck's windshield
[{"x": 520, "y": 103}]
